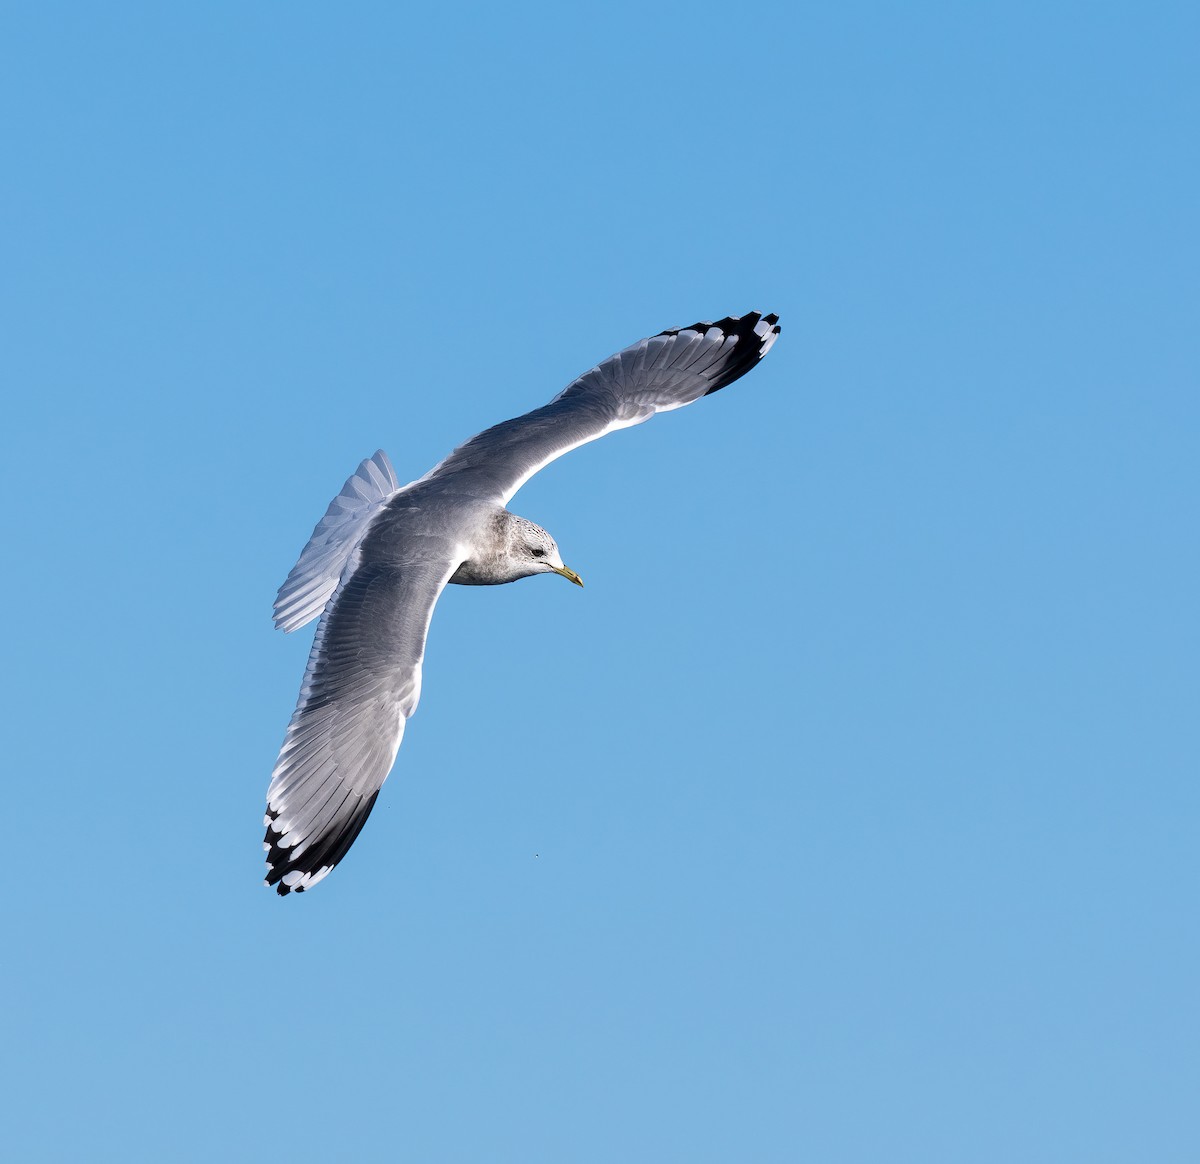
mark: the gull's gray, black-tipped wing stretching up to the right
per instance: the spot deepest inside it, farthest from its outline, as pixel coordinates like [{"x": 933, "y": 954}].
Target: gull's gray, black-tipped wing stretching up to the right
[{"x": 655, "y": 375}]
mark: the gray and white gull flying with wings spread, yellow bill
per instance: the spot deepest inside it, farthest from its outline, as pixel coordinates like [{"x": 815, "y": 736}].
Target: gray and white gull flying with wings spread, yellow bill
[{"x": 382, "y": 555}]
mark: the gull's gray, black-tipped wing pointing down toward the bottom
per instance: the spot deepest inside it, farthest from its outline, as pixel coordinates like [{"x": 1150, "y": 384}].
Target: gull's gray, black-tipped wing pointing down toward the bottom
[{"x": 363, "y": 682}]
